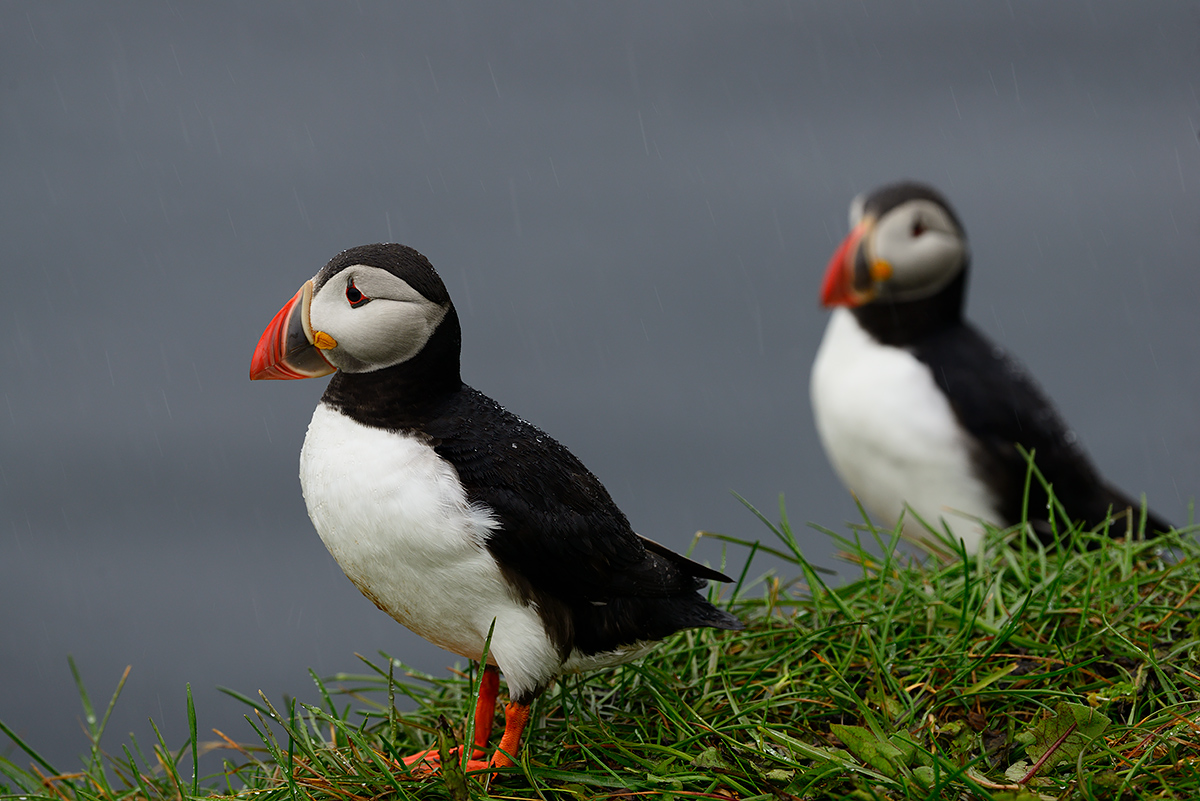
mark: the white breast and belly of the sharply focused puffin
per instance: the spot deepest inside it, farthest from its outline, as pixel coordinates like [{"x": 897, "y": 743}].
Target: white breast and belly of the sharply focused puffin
[{"x": 398, "y": 521}]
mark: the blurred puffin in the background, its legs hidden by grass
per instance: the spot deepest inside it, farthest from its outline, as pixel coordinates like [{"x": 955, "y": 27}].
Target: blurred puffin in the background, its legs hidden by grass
[{"x": 923, "y": 417}]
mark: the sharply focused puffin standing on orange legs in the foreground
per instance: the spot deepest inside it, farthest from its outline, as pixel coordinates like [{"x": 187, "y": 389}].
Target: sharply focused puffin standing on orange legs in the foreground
[{"x": 454, "y": 516}]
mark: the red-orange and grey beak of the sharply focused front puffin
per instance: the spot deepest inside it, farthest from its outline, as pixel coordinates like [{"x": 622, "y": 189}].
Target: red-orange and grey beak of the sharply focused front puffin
[{"x": 289, "y": 348}]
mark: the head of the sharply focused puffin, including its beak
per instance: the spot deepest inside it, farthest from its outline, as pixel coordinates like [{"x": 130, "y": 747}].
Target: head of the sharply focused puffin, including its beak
[{"x": 371, "y": 308}]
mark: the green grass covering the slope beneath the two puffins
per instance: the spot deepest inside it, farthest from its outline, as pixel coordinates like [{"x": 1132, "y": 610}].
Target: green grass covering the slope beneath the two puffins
[{"x": 1015, "y": 674}]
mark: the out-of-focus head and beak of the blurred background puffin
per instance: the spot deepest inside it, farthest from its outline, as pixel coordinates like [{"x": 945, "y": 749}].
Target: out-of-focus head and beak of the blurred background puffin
[{"x": 905, "y": 244}]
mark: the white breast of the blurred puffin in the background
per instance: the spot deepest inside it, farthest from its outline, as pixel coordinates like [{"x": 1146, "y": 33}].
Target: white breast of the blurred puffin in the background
[{"x": 892, "y": 436}]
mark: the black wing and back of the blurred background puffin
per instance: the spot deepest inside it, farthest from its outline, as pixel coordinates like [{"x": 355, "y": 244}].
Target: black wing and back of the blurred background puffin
[{"x": 1003, "y": 407}]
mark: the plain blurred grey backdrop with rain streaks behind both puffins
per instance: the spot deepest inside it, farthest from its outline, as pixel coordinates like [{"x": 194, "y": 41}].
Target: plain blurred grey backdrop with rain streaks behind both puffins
[{"x": 633, "y": 206}]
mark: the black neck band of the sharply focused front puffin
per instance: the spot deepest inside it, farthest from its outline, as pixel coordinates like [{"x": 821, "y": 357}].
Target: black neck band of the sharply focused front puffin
[{"x": 401, "y": 396}]
